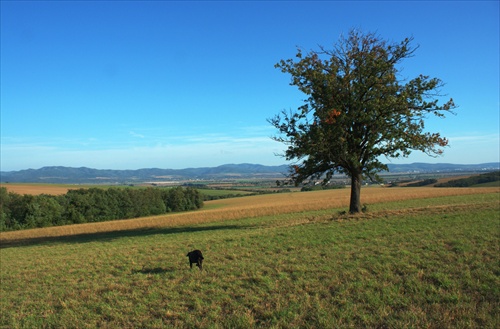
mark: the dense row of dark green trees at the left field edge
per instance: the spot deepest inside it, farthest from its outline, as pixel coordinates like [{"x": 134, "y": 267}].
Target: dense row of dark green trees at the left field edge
[{"x": 19, "y": 212}]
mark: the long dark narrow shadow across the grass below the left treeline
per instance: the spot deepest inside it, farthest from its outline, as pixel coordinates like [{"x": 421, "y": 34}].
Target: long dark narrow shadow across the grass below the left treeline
[{"x": 113, "y": 235}]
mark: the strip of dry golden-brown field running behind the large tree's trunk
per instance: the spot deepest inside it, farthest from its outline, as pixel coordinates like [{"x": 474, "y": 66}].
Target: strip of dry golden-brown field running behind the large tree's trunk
[{"x": 248, "y": 207}]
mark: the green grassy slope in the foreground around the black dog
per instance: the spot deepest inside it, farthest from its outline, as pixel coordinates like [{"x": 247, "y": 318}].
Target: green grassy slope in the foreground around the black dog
[{"x": 414, "y": 264}]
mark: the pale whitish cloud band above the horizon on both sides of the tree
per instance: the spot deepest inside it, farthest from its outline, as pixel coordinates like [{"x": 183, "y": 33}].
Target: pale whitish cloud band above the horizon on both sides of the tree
[{"x": 201, "y": 150}]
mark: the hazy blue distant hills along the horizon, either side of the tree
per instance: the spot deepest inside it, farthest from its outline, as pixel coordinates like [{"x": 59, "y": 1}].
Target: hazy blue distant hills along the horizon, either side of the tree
[{"x": 83, "y": 175}]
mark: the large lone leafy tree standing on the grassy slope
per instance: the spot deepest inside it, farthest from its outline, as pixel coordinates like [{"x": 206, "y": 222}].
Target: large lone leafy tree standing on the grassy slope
[{"x": 358, "y": 108}]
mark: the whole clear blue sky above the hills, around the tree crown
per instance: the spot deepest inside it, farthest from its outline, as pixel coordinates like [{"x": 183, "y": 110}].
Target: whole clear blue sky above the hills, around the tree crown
[{"x": 128, "y": 85}]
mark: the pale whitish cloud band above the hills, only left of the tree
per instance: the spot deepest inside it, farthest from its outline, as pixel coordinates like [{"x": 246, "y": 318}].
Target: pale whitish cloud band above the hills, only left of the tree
[{"x": 194, "y": 151}]
